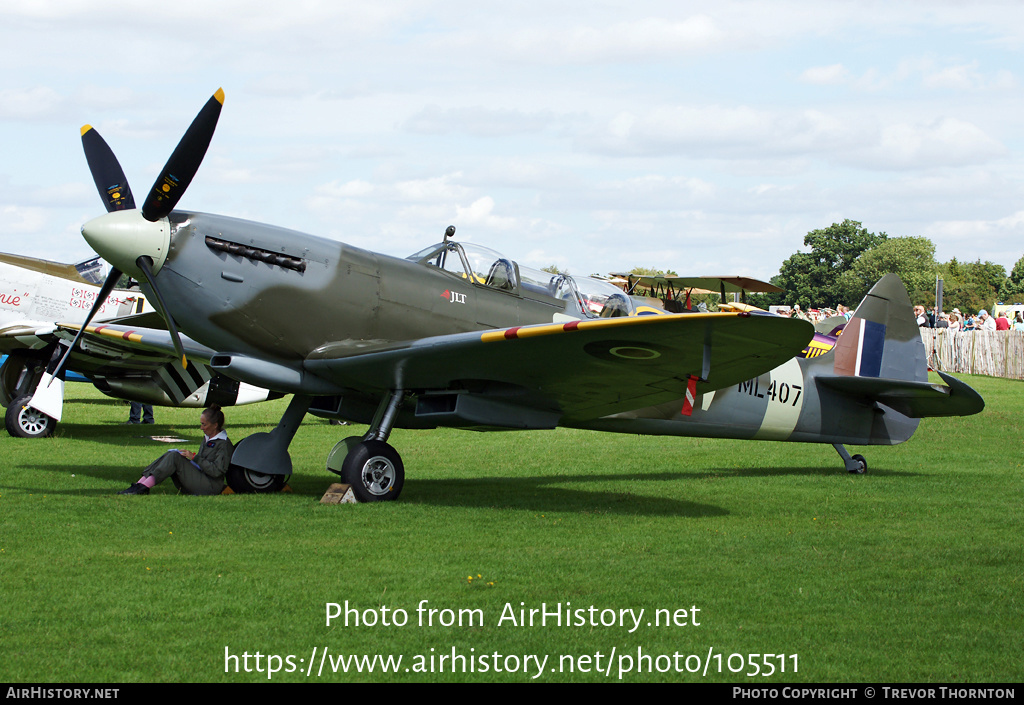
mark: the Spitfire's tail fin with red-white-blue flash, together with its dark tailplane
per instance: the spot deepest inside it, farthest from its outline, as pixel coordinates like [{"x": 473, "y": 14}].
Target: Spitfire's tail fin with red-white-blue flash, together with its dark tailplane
[{"x": 880, "y": 358}]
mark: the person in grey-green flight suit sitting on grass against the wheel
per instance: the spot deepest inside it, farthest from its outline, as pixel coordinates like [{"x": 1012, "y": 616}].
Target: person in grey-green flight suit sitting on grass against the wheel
[{"x": 193, "y": 474}]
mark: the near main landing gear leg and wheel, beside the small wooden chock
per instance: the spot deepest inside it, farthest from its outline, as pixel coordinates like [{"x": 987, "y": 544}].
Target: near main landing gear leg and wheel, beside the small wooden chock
[{"x": 372, "y": 468}]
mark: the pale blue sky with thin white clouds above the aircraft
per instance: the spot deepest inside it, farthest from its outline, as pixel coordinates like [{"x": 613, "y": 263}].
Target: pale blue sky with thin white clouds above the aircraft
[{"x": 705, "y": 138}]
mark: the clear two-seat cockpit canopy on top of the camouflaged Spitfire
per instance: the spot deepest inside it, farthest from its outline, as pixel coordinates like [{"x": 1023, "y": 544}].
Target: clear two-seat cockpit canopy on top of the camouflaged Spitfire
[{"x": 487, "y": 268}]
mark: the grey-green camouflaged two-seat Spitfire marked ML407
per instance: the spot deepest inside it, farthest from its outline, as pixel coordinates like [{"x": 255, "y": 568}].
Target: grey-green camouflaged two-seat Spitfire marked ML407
[{"x": 462, "y": 337}]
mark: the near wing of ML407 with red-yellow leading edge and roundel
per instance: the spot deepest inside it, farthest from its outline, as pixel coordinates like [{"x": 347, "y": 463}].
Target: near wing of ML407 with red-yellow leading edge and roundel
[{"x": 575, "y": 370}]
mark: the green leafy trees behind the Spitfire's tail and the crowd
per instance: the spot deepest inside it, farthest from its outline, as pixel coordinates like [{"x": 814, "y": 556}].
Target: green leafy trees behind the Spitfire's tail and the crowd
[{"x": 845, "y": 261}]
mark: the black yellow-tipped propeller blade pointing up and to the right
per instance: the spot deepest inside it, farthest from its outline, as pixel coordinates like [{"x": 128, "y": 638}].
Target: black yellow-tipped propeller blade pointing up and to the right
[{"x": 185, "y": 161}]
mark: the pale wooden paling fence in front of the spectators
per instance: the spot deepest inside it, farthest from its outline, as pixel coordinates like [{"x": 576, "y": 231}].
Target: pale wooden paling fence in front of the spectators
[{"x": 998, "y": 354}]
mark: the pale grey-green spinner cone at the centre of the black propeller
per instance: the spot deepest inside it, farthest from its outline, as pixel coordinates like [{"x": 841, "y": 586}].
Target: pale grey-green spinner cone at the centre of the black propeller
[{"x": 124, "y": 236}]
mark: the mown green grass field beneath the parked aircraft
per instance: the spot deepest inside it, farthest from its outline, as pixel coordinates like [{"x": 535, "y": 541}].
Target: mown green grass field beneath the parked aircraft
[{"x": 911, "y": 573}]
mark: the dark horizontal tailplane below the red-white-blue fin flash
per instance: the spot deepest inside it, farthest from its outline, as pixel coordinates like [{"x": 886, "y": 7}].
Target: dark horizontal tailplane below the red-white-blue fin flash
[{"x": 915, "y": 400}]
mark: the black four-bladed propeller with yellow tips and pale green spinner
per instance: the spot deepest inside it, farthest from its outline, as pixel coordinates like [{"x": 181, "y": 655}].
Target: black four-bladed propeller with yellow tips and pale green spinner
[{"x": 119, "y": 239}]
